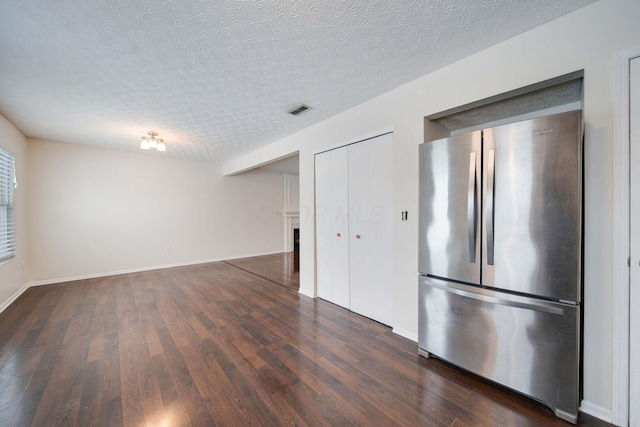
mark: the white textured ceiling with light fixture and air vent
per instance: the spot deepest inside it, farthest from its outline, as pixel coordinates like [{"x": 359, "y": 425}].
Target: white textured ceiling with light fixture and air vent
[{"x": 216, "y": 78}]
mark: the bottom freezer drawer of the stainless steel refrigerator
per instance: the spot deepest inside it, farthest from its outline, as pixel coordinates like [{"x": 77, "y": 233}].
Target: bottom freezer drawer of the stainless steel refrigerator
[{"x": 528, "y": 345}]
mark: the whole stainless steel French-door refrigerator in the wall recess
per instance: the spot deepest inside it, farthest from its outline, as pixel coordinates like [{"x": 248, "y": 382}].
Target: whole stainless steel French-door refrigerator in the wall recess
[{"x": 500, "y": 252}]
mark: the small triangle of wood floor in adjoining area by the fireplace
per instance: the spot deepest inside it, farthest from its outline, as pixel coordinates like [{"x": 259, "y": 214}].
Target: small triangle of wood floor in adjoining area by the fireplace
[{"x": 282, "y": 269}]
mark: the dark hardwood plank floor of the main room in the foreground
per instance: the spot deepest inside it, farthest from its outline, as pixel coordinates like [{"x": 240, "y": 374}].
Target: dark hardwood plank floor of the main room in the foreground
[{"x": 213, "y": 344}]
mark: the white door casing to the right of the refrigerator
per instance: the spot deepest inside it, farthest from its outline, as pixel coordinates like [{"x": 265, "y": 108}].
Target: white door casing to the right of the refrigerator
[{"x": 620, "y": 332}]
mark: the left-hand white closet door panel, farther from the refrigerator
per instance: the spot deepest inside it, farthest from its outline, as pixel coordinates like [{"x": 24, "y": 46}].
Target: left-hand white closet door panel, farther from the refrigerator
[{"x": 332, "y": 227}]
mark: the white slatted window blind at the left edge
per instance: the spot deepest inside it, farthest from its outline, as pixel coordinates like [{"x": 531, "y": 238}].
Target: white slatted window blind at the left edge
[{"x": 7, "y": 186}]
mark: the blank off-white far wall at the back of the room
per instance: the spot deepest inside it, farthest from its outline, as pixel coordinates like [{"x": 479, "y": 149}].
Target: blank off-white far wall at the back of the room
[{"x": 94, "y": 211}]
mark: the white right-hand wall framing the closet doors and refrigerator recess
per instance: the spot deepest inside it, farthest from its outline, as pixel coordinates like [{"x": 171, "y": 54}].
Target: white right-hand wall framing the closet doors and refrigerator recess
[{"x": 586, "y": 39}]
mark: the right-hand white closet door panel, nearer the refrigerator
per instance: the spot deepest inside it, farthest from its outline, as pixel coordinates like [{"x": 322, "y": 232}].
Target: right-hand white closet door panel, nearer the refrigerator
[{"x": 370, "y": 228}]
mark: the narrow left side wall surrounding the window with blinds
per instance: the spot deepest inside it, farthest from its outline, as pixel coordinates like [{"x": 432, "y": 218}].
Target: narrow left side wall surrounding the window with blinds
[{"x": 12, "y": 272}]
